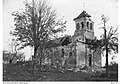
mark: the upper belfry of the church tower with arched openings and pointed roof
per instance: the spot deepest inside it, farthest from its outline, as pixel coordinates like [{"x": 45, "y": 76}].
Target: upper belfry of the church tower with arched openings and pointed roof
[{"x": 84, "y": 26}]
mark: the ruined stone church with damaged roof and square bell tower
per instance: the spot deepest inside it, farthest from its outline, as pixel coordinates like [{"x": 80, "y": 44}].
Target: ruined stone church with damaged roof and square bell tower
[{"x": 70, "y": 51}]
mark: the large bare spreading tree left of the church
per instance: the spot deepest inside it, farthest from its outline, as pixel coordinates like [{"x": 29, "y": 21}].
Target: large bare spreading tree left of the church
[{"x": 37, "y": 25}]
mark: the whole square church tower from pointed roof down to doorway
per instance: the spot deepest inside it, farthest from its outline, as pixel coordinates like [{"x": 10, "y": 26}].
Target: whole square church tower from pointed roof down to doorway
[{"x": 84, "y": 30}]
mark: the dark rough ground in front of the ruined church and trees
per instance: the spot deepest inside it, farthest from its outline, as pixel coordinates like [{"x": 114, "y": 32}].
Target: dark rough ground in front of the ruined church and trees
[{"x": 24, "y": 72}]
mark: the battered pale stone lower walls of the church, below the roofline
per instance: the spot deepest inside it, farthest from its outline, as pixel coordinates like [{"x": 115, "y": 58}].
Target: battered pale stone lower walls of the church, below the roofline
[{"x": 82, "y": 58}]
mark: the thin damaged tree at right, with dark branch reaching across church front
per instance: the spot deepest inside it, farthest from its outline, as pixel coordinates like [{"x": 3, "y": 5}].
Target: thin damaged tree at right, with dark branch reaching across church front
[{"x": 107, "y": 43}]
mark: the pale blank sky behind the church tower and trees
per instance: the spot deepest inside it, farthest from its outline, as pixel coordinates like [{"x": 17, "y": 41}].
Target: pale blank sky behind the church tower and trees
[{"x": 69, "y": 9}]
